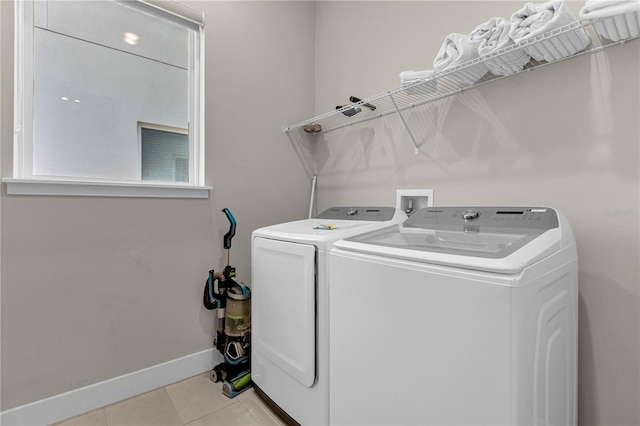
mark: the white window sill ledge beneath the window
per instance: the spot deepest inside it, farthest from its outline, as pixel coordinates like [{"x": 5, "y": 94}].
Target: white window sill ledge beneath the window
[{"x": 103, "y": 189}]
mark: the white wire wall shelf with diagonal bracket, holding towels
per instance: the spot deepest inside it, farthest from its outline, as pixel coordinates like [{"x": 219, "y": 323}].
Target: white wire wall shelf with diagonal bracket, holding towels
[{"x": 559, "y": 44}]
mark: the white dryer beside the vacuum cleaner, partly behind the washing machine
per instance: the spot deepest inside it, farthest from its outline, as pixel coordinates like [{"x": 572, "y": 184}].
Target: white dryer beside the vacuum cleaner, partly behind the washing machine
[{"x": 290, "y": 306}]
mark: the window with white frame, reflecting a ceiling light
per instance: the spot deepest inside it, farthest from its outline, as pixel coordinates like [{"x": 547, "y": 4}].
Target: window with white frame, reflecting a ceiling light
[{"x": 88, "y": 74}]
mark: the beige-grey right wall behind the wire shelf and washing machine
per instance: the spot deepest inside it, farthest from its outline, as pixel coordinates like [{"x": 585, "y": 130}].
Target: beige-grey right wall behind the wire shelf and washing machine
[{"x": 565, "y": 136}]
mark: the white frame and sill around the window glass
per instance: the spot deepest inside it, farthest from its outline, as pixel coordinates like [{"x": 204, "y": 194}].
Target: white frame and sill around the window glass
[{"x": 24, "y": 182}]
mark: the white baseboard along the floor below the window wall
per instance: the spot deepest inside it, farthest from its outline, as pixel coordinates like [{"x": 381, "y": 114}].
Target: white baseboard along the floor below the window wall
[{"x": 78, "y": 401}]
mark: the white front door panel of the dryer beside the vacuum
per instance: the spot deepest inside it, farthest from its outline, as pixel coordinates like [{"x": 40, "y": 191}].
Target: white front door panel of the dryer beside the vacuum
[{"x": 283, "y": 306}]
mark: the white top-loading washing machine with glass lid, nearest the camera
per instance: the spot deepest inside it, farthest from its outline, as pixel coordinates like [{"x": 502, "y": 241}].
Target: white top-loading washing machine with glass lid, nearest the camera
[{"x": 460, "y": 315}]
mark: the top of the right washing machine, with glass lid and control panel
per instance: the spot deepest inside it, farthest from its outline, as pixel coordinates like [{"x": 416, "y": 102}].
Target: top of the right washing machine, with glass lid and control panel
[{"x": 494, "y": 239}]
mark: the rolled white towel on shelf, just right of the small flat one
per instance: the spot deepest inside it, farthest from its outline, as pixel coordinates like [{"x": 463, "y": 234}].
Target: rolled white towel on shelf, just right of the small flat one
[{"x": 456, "y": 50}]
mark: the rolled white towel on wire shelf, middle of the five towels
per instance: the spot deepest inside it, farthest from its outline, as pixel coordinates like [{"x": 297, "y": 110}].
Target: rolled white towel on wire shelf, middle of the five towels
[{"x": 493, "y": 36}]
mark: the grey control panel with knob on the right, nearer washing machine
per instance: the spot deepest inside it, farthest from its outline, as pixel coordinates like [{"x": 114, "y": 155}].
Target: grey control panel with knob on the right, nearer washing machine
[{"x": 541, "y": 218}]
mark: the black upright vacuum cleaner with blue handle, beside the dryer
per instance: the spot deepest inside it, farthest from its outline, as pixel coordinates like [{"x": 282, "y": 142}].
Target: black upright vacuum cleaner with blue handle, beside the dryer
[{"x": 232, "y": 299}]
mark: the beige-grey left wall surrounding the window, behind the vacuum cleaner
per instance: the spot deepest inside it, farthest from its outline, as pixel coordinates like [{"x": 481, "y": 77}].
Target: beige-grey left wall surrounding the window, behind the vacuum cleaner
[{"x": 95, "y": 288}]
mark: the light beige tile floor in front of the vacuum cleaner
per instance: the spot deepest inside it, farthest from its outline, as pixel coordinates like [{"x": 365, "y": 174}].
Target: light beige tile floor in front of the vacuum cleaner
[{"x": 194, "y": 401}]
